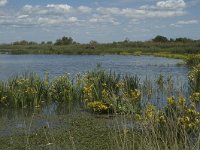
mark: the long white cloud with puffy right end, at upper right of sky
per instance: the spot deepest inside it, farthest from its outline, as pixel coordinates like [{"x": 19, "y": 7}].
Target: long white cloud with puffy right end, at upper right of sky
[{"x": 162, "y": 9}]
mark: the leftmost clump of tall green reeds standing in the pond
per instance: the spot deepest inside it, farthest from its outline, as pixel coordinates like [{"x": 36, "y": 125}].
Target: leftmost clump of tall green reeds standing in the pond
[{"x": 26, "y": 91}]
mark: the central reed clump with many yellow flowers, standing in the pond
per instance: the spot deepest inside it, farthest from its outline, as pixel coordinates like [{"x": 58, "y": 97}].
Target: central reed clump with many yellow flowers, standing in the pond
[{"x": 120, "y": 92}]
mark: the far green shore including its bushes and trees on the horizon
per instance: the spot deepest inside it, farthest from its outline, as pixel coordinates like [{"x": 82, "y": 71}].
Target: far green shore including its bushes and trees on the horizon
[{"x": 161, "y": 46}]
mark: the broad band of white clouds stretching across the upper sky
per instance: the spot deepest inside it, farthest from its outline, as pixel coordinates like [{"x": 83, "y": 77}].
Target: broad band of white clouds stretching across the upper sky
[{"x": 64, "y": 14}]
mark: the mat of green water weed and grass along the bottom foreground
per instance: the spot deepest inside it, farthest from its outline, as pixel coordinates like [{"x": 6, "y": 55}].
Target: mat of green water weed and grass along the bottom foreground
[{"x": 84, "y": 131}]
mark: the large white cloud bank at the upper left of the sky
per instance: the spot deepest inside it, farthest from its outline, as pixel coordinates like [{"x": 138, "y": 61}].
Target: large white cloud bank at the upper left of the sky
[{"x": 49, "y": 15}]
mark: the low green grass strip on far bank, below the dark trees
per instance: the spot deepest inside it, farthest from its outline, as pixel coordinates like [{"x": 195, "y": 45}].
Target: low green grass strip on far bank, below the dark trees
[{"x": 130, "y": 48}]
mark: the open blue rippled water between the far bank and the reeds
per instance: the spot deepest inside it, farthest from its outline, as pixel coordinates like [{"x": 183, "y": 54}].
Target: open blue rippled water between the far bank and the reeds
[{"x": 143, "y": 66}]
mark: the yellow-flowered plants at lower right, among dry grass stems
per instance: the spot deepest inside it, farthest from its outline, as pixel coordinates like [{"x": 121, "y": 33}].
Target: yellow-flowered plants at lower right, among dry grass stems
[{"x": 176, "y": 112}]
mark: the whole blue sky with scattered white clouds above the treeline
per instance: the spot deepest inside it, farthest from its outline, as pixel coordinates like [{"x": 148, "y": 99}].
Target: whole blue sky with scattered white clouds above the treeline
[{"x": 100, "y": 20}]
